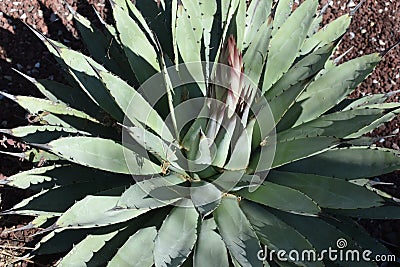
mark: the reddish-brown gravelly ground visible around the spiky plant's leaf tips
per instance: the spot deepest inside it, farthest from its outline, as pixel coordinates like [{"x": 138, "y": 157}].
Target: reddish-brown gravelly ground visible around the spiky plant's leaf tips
[{"x": 375, "y": 27}]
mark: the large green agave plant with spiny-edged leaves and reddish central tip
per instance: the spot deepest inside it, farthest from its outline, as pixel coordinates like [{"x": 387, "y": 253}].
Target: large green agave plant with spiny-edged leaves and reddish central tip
[{"x": 267, "y": 152}]
